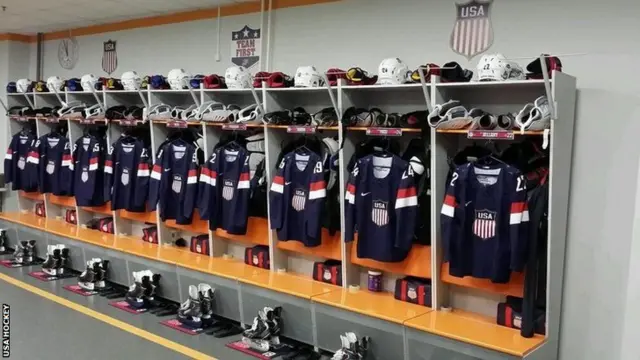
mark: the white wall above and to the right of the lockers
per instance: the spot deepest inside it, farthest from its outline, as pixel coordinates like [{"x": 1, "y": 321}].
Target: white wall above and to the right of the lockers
[{"x": 363, "y": 32}]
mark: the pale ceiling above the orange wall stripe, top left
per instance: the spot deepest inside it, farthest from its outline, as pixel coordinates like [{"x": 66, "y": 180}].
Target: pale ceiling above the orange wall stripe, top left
[{"x": 32, "y": 16}]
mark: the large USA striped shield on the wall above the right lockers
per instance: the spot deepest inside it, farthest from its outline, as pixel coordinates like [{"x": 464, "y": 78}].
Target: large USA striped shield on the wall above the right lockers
[{"x": 472, "y": 32}]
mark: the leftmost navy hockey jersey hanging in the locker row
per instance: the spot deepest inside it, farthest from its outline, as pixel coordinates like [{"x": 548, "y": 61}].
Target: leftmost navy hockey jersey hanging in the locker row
[{"x": 16, "y": 170}]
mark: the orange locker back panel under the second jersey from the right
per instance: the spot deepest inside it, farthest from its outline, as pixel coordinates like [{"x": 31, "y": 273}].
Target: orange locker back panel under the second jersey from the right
[{"x": 417, "y": 263}]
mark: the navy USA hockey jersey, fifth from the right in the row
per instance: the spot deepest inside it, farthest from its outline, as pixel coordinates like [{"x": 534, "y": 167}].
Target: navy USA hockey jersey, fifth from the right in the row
[{"x": 174, "y": 181}]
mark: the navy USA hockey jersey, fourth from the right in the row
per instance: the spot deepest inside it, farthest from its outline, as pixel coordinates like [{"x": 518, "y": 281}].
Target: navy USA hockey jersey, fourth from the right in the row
[{"x": 225, "y": 190}]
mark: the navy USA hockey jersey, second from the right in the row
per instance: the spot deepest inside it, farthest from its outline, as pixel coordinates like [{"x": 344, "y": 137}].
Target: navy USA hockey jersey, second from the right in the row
[{"x": 381, "y": 204}]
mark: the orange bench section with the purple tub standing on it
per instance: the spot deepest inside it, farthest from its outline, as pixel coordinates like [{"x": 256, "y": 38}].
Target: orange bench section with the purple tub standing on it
[{"x": 379, "y": 305}]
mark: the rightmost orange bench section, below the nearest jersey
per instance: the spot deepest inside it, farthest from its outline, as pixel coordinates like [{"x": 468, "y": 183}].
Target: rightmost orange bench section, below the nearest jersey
[{"x": 476, "y": 330}]
